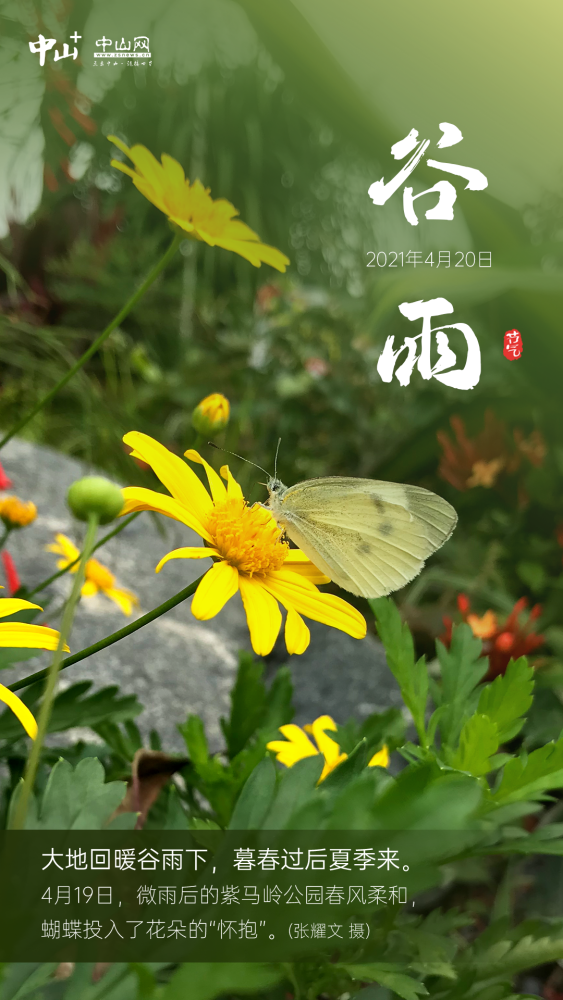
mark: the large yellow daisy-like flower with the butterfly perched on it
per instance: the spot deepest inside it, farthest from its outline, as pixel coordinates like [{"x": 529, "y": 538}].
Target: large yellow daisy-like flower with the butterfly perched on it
[{"x": 248, "y": 551}]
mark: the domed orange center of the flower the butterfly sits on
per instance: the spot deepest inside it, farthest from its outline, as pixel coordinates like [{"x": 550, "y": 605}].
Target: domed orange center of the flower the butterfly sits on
[{"x": 247, "y": 537}]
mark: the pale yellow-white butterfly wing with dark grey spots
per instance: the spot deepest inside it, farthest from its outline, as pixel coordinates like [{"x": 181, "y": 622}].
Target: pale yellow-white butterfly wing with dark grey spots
[{"x": 371, "y": 537}]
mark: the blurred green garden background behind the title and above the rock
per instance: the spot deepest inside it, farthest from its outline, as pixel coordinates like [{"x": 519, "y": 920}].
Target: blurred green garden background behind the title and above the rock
[{"x": 289, "y": 110}]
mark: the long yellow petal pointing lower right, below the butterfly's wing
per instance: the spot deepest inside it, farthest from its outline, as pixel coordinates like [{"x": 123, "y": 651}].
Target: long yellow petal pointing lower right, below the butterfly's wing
[{"x": 293, "y": 590}]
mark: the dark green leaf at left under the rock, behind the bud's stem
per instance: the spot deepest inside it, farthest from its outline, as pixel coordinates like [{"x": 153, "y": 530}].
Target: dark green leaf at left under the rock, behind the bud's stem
[{"x": 72, "y": 708}]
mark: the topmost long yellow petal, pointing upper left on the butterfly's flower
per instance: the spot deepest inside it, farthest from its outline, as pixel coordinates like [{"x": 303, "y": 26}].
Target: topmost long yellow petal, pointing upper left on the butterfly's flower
[{"x": 174, "y": 474}]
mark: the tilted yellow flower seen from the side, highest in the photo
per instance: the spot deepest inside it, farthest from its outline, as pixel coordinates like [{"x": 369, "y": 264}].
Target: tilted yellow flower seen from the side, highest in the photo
[{"x": 190, "y": 206}]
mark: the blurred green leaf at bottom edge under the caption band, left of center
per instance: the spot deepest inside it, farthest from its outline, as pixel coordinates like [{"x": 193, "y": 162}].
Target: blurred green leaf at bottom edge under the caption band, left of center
[{"x": 206, "y": 980}]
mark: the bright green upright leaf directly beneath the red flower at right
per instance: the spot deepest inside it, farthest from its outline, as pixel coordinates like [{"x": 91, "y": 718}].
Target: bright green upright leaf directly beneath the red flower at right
[{"x": 507, "y": 699}]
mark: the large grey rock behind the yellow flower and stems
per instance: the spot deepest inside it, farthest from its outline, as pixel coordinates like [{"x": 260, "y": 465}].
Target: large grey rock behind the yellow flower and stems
[{"x": 176, "y": 665}]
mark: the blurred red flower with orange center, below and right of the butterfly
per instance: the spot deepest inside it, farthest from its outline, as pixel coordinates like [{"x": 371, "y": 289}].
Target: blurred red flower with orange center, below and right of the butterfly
[{"x": 501, "y": 642}]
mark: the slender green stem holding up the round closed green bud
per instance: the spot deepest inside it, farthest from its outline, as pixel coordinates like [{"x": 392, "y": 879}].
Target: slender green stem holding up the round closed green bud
[{"x": 52, "y": 674}]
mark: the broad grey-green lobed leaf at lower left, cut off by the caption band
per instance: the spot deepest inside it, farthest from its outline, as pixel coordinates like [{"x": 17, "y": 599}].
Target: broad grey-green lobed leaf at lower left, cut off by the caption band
[{"x": 75, "y": 798}]
